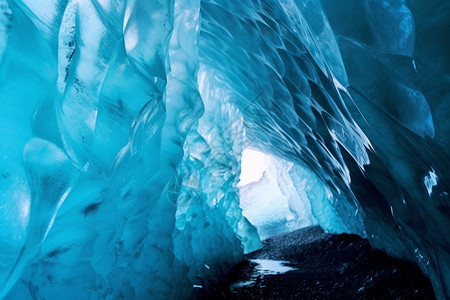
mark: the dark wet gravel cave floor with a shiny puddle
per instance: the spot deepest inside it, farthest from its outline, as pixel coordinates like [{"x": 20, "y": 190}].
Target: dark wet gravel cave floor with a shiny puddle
[{"x": 311, "y": 264}]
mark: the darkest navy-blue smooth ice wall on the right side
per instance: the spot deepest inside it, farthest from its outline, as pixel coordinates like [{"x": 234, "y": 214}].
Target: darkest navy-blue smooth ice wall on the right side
[{"x": 399, "y": 82}]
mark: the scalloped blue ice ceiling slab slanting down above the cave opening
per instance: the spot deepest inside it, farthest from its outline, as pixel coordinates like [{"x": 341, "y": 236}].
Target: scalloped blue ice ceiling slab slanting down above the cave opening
[{"x": 283, "y": 112}]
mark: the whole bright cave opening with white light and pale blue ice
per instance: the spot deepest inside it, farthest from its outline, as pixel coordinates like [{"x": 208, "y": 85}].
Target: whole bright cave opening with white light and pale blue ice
[{"x": 268, "y": 196}]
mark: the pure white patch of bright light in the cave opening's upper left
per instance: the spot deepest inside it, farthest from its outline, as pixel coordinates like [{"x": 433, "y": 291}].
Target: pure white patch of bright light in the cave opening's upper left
[{"x": 253, "y": 165}]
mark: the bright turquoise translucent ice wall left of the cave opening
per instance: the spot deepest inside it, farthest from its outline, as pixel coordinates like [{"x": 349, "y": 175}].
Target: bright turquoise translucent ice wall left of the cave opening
[{"x": 97, "y": 99}]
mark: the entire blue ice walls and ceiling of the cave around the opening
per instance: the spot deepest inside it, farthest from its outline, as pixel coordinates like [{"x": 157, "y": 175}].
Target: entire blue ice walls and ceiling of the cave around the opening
[{"x": 123, "y": 123}]
